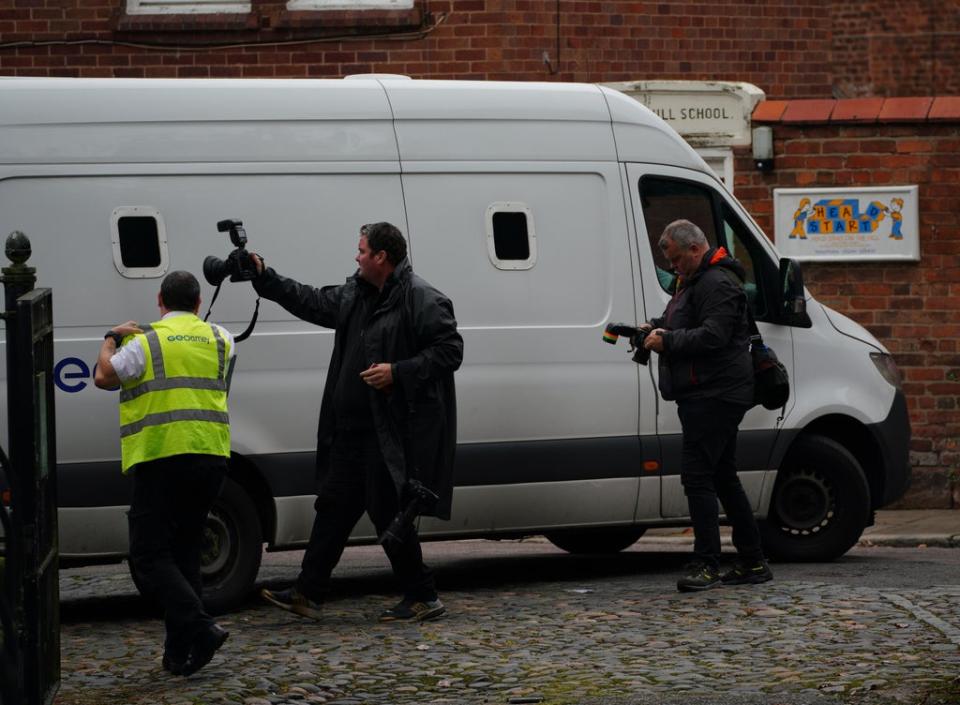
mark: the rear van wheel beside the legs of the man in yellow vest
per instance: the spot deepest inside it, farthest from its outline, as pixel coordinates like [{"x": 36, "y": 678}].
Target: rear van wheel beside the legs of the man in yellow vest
[{"x": 231, "y": 550}]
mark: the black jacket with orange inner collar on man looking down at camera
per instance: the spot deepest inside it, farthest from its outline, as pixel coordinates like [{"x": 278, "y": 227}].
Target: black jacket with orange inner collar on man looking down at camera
[{"x": 707, "y": 343}]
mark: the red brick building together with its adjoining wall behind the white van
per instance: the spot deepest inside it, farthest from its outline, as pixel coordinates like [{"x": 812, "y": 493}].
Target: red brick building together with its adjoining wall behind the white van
[{"x": 810, "y": 57}]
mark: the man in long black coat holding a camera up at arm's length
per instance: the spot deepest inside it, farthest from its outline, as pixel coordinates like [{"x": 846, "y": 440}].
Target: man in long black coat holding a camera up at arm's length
[{"x": 388, "y": 414}]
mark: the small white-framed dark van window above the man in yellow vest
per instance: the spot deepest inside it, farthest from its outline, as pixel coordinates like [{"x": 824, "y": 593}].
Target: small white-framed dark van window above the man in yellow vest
[{"x": 139, "y": 242}]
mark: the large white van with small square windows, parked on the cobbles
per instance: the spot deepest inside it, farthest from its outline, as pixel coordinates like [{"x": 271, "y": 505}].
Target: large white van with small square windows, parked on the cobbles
[{"x": 534, "y": 207}]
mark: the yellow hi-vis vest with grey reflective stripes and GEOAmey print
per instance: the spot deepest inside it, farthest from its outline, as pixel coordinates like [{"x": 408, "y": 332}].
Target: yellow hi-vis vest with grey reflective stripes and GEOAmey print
[{"x": 179, "y": 404}]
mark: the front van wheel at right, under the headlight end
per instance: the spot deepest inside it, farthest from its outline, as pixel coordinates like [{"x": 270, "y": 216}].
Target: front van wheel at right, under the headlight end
[{"x": 820, "y": 503}]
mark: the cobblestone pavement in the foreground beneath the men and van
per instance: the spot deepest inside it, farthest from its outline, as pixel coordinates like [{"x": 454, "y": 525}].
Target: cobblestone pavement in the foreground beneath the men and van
[{"x": 622, "y": 636}]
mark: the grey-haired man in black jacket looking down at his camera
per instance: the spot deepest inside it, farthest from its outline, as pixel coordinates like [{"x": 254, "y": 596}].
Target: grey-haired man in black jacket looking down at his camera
[{"x": 703, "y": 342}]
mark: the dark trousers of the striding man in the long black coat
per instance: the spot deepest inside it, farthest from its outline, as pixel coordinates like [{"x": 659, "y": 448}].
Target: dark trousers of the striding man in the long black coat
[{"x": 358, "y": 480}]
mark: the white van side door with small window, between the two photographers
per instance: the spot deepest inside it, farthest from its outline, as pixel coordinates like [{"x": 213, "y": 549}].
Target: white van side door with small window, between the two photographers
[{"x": 536, "y": 261}]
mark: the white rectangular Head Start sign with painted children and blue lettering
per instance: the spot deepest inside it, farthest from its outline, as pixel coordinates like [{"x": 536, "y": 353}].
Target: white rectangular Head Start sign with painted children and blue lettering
[{"x": 847, "y": 224}]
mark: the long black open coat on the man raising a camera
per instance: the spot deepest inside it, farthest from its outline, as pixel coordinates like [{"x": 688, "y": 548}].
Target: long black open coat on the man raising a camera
[{"x": 414, "y": 328}]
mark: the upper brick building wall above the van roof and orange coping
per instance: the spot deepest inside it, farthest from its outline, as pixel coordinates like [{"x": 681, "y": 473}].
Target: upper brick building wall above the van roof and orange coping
[{"x": 790, "y": 48}]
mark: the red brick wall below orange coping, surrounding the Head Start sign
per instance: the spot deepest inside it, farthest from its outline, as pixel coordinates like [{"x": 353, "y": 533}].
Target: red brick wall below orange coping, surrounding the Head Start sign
[{"x": 913, "y": 308}]
